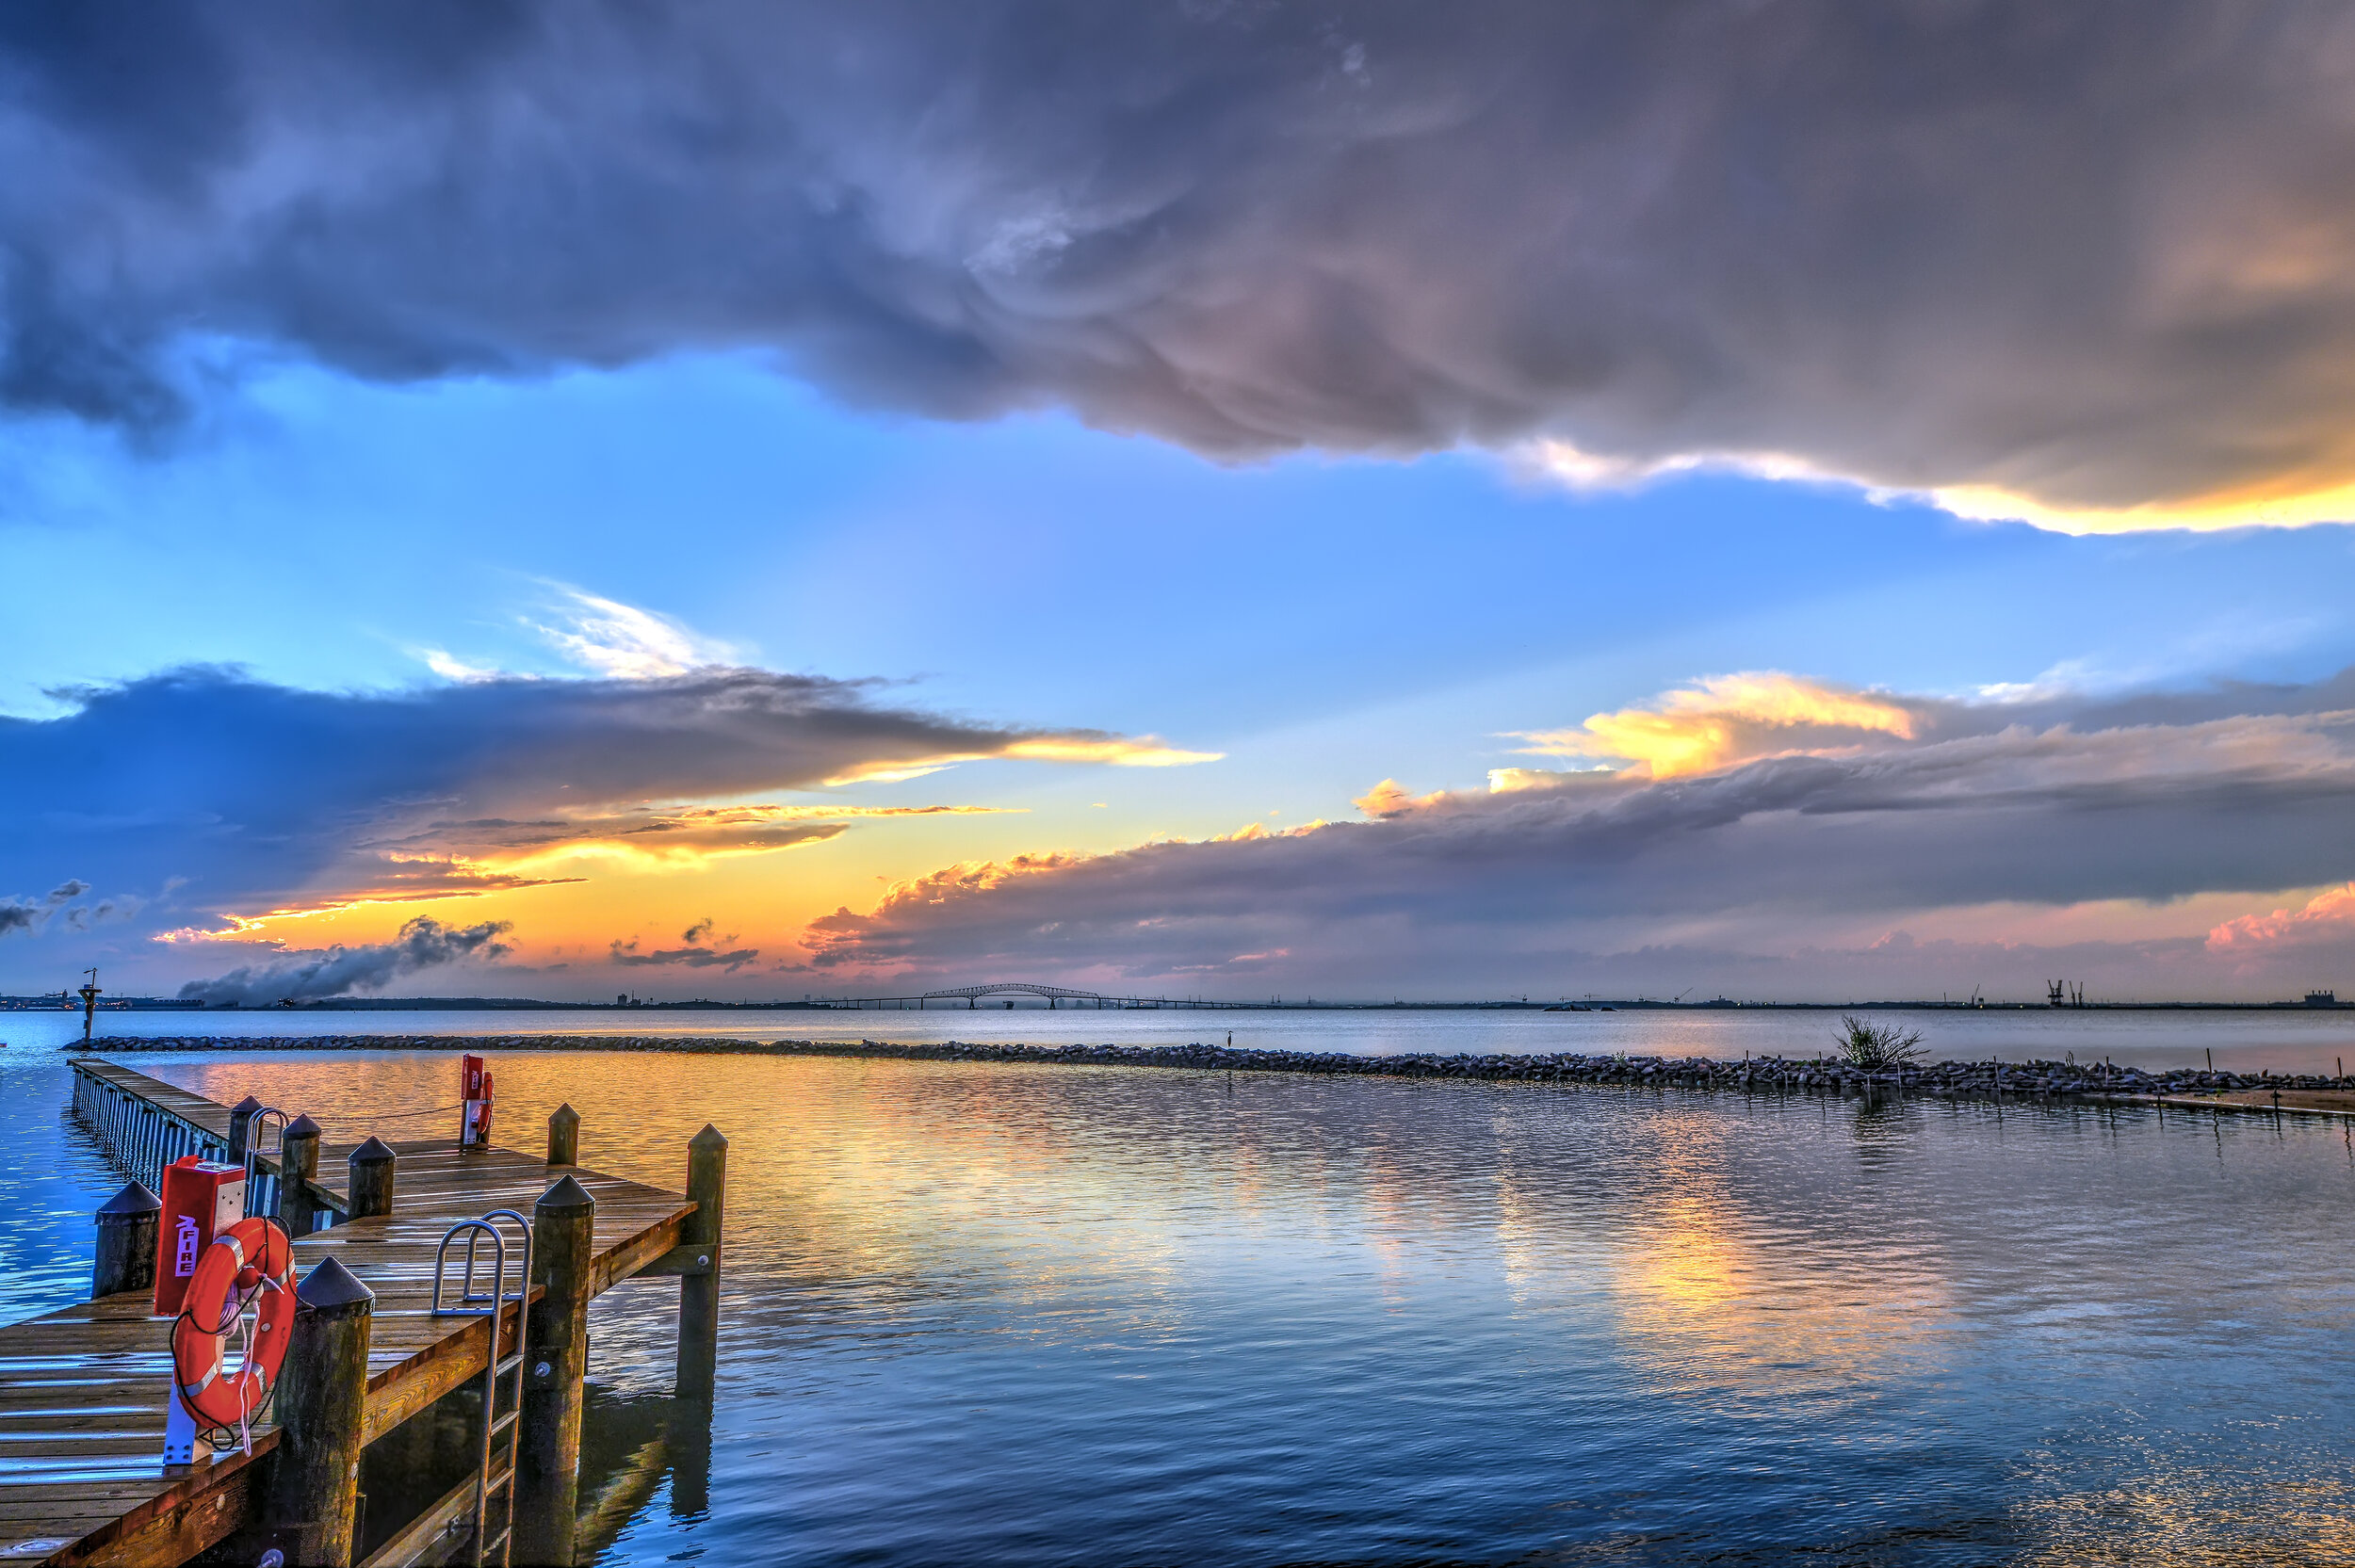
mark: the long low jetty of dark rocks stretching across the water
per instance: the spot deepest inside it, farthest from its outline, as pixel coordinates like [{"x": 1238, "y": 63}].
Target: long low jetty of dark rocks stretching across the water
[{"x": 1819, "y": 1075}]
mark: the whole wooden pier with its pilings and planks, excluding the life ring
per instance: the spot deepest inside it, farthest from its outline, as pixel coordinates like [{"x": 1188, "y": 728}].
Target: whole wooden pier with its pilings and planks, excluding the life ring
[{"x": 84, "y": 1390}]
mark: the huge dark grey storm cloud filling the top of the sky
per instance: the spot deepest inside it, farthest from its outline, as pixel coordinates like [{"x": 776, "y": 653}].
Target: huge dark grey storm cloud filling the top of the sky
[{"x": 2088, "y": 253}]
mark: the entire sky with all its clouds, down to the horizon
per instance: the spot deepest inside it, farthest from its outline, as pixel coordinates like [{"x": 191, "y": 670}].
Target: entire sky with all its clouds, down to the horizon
[{"x": 795, "y": 500}]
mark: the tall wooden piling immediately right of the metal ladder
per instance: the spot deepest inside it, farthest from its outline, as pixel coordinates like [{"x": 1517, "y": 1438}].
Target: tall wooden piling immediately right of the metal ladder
[{"x": 548, "y": 1482}]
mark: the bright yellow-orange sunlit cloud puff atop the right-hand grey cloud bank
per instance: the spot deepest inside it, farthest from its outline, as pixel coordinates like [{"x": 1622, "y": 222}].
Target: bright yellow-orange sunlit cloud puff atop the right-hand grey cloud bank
[{"x": 1727, "y": 719}]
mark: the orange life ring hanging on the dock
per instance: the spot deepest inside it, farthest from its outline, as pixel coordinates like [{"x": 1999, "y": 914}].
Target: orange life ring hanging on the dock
[{"x": 248, "y": 1261}]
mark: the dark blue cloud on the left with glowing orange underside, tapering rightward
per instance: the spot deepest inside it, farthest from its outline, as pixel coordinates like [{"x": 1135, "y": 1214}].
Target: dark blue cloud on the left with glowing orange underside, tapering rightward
[{"x": 258, "y": 797}]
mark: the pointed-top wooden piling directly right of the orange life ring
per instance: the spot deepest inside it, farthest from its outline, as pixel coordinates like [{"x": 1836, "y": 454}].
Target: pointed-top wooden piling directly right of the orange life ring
[{"x": 314, "y": 1489}]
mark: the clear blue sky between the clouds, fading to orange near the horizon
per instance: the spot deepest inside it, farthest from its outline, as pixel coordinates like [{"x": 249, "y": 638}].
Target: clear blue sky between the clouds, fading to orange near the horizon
[{"x": 1320, "y": 623}]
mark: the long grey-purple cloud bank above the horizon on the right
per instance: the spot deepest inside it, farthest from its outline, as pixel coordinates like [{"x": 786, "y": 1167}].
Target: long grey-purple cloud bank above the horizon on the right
[{"x": 2055, "y": 804}]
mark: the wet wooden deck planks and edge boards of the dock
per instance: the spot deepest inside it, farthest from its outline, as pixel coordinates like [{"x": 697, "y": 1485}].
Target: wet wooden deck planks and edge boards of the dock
[{"x": 84, "y": 1388}]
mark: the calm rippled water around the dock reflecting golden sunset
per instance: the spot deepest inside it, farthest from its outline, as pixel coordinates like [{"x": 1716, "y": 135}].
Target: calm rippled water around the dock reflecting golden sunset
[{"x": 1141, "y": 1317}]
